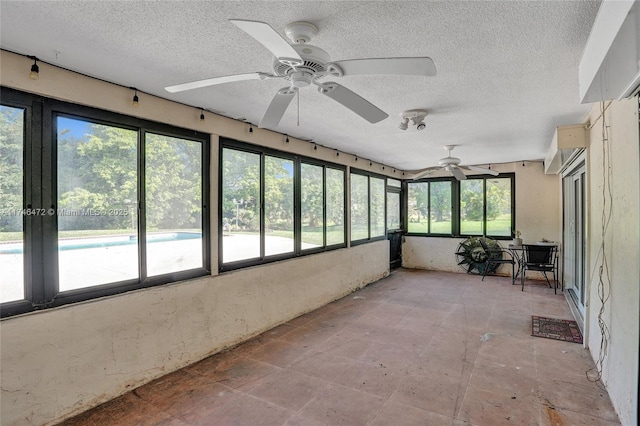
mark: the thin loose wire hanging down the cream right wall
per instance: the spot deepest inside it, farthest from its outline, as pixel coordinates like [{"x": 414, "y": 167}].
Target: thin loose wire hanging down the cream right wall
[{"x": 604, "y": 276}]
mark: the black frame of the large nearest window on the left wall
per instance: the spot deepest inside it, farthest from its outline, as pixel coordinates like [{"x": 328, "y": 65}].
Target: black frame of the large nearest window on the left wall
[{"x": 40, "y": 192}]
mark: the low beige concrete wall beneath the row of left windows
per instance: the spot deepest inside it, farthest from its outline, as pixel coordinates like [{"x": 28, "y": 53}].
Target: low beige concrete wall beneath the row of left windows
[{"x": 62, "y": 361}]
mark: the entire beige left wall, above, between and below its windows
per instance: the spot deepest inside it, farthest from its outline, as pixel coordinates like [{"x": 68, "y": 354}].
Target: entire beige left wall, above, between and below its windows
[{"x": 58, "y": 362}]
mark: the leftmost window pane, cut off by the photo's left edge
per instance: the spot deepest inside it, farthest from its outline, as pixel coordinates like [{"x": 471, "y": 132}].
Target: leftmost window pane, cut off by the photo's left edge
[{"x": 11, "y": 204}]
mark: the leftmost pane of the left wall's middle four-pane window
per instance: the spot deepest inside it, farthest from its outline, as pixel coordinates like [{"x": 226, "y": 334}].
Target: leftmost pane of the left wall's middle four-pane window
[{"x": 240, "y": 205}]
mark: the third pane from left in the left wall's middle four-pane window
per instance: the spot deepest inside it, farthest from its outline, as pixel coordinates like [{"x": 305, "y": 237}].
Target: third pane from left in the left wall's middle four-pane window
[{"x": 311, "y": 205}]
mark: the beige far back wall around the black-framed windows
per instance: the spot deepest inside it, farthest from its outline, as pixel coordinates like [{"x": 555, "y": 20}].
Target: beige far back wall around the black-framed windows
[{"x": 538, "y": 204}]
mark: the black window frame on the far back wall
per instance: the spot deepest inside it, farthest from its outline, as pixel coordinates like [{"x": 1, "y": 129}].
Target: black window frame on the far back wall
[{"x": 455, "y": 203}]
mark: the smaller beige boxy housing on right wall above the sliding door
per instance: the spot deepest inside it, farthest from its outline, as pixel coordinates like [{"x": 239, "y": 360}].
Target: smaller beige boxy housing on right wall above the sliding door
[{"x": 567, "y": 143}]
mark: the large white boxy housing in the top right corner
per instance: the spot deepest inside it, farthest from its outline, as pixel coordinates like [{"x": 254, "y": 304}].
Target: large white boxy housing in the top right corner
[{"x": 610, "y": 65}]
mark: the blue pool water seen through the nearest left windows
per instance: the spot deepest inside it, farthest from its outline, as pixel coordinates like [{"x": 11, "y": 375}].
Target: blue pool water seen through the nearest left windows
[{"x": 121, "y": 240}]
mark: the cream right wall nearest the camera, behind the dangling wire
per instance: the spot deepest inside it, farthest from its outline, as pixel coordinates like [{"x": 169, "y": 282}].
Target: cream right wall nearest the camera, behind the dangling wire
[{"x": 621, "y": 240}]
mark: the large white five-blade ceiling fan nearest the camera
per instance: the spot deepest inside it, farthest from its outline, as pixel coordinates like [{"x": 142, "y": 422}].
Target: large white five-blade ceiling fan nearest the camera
[{"x": 302, "y": 64}]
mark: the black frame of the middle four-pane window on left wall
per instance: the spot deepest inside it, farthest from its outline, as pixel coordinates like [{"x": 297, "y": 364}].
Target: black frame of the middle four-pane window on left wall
[{"x": 298, "y": 160}]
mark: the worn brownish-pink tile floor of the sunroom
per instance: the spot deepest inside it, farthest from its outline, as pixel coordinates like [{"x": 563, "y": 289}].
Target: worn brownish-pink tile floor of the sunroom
[{"x": 416, "y": 348}]
